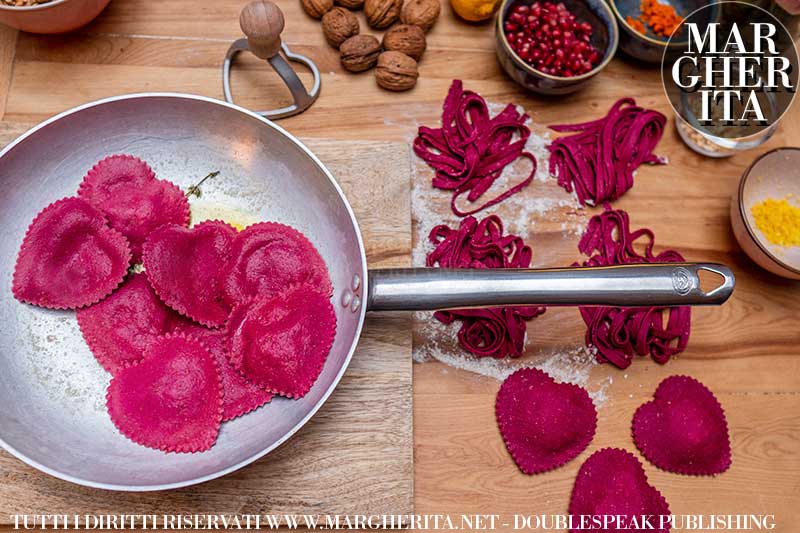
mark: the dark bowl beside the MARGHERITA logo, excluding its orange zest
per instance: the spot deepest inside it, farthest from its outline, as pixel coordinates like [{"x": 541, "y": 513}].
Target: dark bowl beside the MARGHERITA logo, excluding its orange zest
[{"x": 650, "y": 47}]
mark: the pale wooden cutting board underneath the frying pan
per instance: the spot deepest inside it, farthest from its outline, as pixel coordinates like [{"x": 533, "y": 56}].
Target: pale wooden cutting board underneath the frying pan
[{"x": 355, "y": 455}]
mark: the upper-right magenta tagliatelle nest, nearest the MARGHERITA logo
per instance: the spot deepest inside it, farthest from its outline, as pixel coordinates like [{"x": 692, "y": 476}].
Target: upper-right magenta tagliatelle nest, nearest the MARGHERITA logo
[{"x": 599, "y": 159}]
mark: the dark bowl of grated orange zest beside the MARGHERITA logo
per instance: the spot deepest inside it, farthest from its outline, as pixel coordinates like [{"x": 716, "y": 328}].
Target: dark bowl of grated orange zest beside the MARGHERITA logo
[{"x": 646, "y": 25}]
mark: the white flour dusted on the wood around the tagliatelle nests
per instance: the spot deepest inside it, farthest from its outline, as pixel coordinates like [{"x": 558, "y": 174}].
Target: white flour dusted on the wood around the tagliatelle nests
[{"x": 541, "y": 213}]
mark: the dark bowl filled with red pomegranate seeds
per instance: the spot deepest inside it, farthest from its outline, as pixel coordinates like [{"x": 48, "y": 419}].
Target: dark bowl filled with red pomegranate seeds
[{"x": 555, "y": 47}]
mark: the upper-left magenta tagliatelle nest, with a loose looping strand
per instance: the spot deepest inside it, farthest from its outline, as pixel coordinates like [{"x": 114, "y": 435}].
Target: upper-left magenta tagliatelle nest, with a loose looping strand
[{"x": 470, "y": 150}]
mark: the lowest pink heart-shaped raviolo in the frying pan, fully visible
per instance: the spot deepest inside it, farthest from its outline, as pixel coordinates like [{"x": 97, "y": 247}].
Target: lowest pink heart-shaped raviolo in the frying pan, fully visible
[{"x": 171, "y": 400}]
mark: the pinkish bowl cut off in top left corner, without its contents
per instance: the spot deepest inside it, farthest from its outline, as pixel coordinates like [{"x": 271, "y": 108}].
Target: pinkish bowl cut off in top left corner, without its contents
[{"x": 57, "y": 16}]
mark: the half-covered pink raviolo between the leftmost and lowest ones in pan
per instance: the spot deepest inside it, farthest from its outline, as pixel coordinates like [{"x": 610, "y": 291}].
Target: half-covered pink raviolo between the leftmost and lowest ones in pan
[{"x": 120, "y": 328}]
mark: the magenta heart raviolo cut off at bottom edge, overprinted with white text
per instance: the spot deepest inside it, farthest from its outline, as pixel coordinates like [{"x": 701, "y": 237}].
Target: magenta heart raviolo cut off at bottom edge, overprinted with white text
[{"x": 612, "y": 483}]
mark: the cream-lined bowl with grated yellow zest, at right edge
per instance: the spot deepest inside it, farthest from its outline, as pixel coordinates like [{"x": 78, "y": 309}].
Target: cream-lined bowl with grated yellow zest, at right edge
[{"x": 765, "y": 212}]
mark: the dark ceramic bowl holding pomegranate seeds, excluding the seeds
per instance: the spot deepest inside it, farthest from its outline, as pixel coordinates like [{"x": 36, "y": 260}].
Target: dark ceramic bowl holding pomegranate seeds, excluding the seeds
[{"x": 605, "y": 35}]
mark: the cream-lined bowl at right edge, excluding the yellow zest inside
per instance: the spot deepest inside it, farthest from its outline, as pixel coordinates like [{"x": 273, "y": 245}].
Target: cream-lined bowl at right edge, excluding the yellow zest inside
[{"x": 772, "y": 175}]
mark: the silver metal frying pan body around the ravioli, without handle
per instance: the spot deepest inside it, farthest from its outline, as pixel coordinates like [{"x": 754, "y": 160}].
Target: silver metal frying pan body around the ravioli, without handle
[{"x": 52, "y": 391}]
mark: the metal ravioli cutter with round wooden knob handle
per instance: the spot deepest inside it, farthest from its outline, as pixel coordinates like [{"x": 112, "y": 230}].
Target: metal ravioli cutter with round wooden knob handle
[{"x": 262, "y": 22}]
